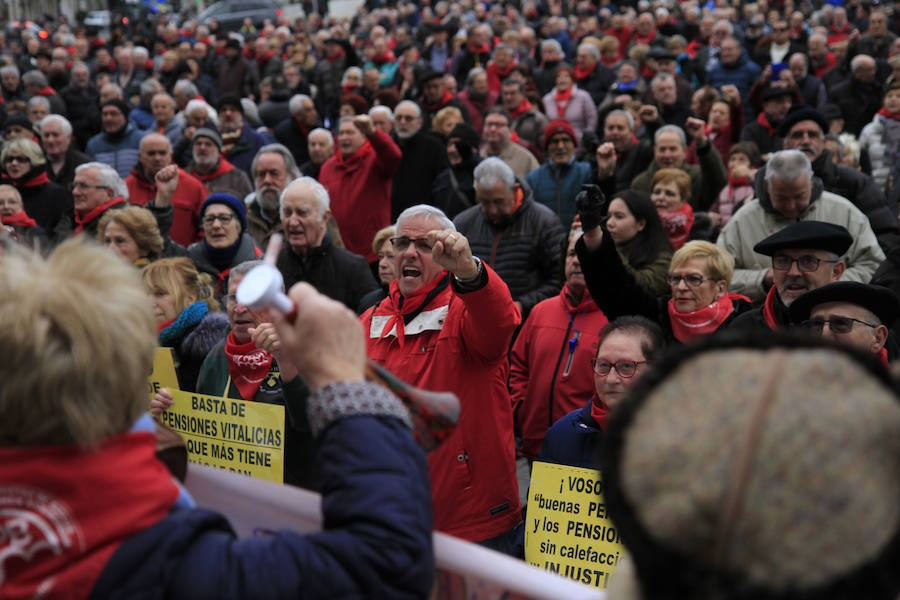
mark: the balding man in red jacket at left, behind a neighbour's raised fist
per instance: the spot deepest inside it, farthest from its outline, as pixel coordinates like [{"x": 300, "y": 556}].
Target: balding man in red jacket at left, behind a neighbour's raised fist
[{"x": 156, "y": 153}]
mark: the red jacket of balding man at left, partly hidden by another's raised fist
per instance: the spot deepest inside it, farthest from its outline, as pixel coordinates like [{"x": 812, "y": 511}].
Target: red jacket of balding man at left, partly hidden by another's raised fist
[{"x": 186, "y": 201}]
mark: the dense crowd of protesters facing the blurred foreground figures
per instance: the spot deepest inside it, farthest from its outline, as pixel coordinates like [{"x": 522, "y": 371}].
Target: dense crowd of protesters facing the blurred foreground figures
[{"x": 525, "y": 203}]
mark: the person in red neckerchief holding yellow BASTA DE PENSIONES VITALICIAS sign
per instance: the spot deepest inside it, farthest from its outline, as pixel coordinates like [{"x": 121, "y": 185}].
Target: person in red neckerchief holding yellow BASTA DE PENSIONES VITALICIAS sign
[{"x": 246, "y": 364}]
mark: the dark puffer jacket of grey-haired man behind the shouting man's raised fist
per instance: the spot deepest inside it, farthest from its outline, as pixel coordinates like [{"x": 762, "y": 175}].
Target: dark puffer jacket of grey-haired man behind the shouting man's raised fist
[{"x": 526, "y": 252}]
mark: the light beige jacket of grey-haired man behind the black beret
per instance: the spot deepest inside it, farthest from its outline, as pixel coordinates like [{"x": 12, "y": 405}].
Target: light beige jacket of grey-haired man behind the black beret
[{"x": 757, "y": 220}]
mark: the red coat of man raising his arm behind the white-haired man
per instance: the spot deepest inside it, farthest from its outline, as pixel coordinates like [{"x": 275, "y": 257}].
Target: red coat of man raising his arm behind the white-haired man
[{"x": 360, "y": 191}]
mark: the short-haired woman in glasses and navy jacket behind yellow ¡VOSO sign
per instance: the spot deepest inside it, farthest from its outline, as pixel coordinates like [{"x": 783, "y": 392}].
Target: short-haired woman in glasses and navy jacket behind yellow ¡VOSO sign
[{"x": 629, "y": 345}]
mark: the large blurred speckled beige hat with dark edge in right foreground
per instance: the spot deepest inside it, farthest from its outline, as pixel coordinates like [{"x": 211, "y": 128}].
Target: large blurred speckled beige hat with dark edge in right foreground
[{"x": 763, "y": 468}]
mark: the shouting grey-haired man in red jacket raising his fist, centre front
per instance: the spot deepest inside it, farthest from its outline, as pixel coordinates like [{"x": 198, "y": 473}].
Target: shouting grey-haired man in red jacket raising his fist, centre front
[{"x": 446, "y": 325}]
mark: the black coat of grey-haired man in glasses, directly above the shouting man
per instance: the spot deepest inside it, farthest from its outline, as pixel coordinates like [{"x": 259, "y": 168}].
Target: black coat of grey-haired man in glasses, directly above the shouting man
[{"x": 423, "y": 159}]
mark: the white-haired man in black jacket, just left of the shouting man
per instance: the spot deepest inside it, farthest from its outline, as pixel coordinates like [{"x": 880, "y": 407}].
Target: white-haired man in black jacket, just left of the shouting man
[{"x": 310, "y": 255}]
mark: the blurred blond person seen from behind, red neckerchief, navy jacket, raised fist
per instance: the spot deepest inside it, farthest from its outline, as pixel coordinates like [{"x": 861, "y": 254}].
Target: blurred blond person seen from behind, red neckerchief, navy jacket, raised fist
[{"x": 95, "y": 514}]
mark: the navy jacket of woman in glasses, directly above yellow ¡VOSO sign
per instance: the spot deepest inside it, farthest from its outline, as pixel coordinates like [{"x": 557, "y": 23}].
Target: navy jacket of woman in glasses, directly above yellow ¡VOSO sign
[{"x": 574, "y": 440}]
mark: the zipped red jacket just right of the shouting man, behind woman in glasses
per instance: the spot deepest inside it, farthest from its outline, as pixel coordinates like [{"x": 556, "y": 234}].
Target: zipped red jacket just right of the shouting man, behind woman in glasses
[{"x": 546, "y": 380}]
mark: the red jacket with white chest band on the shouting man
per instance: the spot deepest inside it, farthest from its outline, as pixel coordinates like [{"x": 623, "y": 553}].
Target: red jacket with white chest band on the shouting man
[{"x": 459, "y": 343}]
